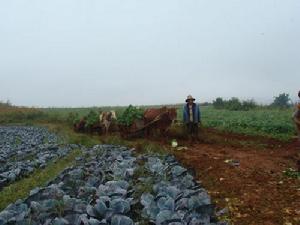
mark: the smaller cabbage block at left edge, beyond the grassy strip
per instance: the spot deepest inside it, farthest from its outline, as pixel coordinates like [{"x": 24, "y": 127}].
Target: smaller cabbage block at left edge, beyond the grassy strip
[{"x": 24, "y": 149}]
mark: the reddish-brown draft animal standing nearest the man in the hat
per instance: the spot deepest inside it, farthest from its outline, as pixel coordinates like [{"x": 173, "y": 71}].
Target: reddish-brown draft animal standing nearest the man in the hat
[{"x": 159, "y": 119}]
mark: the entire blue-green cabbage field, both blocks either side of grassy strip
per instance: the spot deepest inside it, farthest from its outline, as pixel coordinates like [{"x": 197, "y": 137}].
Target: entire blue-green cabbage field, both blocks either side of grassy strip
[{"x": 107, "y": 185}]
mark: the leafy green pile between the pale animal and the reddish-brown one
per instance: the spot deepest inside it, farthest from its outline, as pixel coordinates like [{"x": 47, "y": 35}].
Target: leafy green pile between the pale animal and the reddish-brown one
[{"x": 130, "y": 115}]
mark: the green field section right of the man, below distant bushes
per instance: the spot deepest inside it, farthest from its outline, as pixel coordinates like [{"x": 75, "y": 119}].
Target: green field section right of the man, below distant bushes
[{"x": 272, "y": 123}]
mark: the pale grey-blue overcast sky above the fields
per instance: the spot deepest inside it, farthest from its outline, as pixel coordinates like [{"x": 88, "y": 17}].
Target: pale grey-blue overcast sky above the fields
[{"x": 95, "y": 52}]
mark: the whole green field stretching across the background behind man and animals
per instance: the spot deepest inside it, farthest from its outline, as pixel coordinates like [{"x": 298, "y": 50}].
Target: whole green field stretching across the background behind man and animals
[{"x": 268, "y": 122}]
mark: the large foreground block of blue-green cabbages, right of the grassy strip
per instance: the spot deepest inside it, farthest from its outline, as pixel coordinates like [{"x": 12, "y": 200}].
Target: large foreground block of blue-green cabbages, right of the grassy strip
[{"x": 109, "y": 185}]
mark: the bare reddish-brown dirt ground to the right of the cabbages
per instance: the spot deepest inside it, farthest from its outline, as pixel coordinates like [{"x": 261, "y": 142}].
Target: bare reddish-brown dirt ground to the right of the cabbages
[{"x": 256, "y": 192}]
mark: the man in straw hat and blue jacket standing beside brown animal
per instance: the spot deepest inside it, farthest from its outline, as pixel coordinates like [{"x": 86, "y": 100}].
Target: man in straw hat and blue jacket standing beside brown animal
[{"x": 191, "y": 116}]
